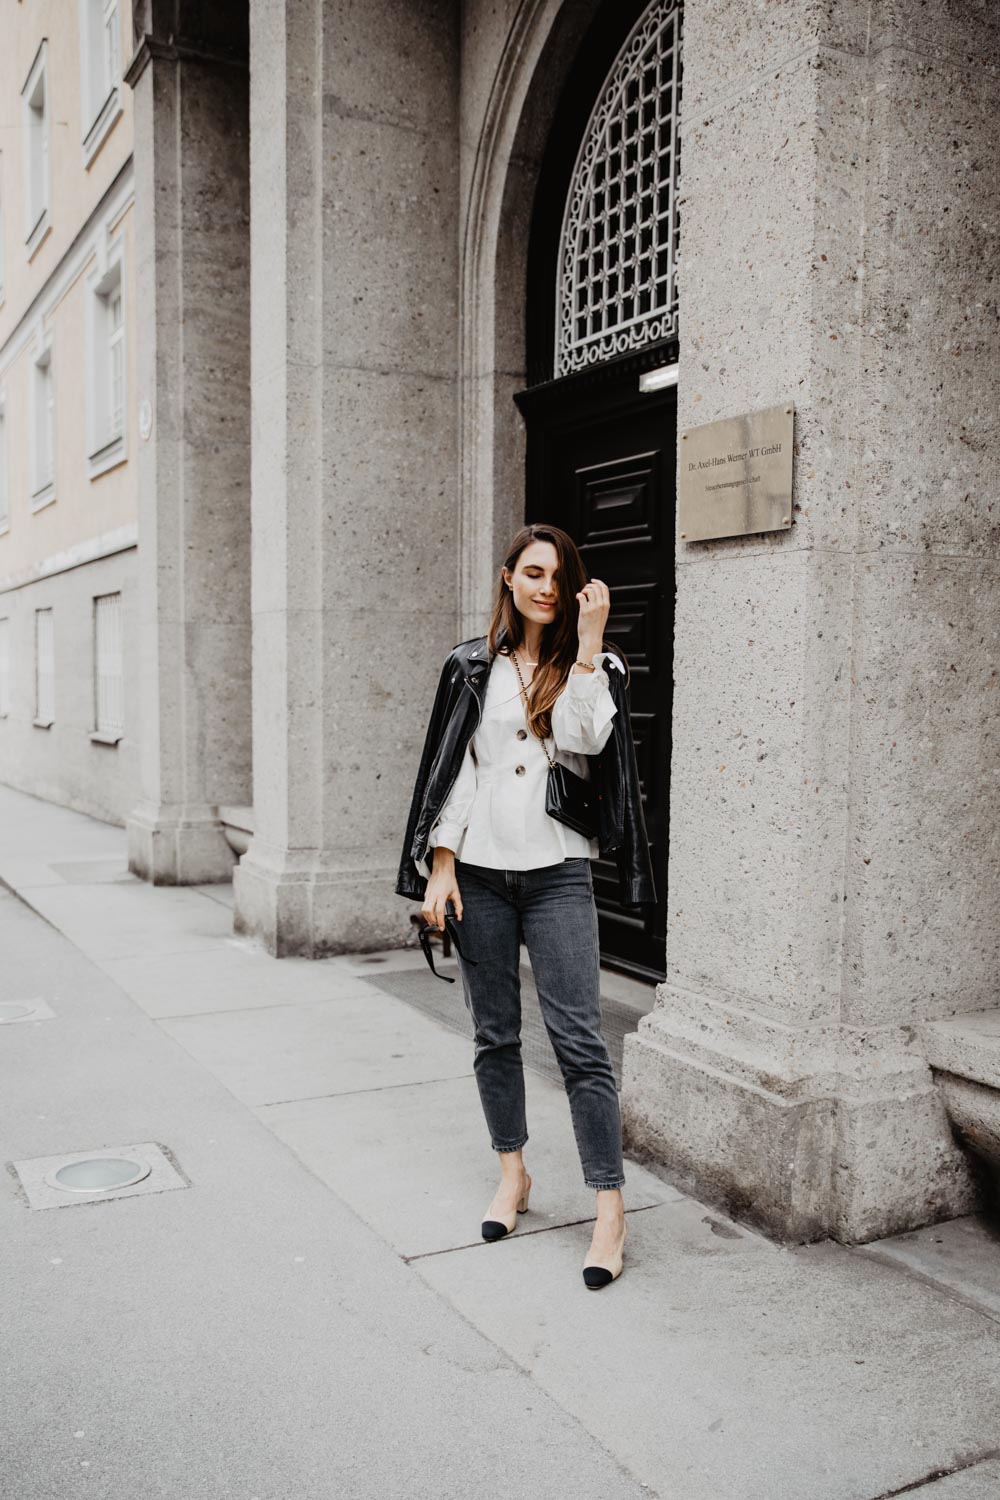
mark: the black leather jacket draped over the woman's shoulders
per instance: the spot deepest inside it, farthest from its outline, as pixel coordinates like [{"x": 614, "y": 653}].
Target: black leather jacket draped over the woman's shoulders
[{"x": 454, "y": 721}]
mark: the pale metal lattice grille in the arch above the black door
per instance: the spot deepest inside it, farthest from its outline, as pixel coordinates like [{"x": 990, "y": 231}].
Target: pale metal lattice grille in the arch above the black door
[{"x": 618, "y": 250}]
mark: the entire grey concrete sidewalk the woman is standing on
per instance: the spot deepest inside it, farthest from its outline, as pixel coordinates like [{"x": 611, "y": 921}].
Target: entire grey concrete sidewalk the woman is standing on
[{"x": 308, "y": 1310}]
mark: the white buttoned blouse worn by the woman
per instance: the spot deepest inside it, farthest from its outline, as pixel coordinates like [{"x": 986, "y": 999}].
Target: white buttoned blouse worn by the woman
[{"x": 496, "y": 814}]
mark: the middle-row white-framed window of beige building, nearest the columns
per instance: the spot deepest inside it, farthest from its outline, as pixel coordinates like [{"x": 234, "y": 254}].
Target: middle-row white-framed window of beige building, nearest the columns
[{"x": 106, "y": 442}]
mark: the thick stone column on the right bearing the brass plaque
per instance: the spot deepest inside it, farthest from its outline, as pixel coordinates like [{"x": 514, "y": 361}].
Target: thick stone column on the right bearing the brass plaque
[{"x": 834, "y": 871}]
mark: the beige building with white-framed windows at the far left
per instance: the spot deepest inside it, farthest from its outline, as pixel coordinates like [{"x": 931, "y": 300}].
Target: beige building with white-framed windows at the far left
[{"x": 68, "y": 419}]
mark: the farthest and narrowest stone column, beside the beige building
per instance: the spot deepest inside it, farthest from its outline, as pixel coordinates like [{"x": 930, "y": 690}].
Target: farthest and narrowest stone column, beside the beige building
[{"x": 190, "y": 74}]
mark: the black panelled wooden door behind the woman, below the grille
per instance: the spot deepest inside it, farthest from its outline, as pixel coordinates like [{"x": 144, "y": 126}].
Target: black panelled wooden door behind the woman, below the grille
[{"x": 602, "y": 464}]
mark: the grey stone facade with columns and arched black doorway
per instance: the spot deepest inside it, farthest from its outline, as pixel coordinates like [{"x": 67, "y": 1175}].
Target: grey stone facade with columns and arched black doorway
[{"x": 412, "y": 274}]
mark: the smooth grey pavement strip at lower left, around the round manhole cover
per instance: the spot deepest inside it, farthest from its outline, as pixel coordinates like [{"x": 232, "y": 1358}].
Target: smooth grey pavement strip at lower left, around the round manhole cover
[{"x": 248, "y": 1337}]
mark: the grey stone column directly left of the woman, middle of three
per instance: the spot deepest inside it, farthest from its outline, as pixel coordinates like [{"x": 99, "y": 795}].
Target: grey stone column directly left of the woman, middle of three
[{"x": 355, "y": 335}]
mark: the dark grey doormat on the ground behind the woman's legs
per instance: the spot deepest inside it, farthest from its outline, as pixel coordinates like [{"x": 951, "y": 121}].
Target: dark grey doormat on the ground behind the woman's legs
[{"x": 446, "y": 1004}]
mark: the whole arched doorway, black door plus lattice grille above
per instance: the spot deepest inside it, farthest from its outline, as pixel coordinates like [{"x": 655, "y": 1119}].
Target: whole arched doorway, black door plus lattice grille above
[{"x": 600, "y": 451}]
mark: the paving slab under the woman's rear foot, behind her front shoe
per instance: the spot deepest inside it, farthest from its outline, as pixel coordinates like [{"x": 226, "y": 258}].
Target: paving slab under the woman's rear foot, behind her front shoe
[{"x": 427, "y": 1171}]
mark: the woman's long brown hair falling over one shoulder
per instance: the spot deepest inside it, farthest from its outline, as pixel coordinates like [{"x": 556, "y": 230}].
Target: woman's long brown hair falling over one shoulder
[{"x": 560, "y": 638}]
